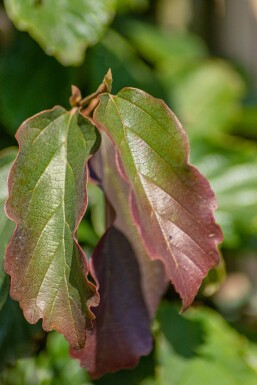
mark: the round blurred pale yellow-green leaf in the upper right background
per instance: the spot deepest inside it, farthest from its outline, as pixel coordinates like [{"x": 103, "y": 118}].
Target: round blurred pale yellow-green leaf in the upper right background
[{"x": 208, "y": 97}]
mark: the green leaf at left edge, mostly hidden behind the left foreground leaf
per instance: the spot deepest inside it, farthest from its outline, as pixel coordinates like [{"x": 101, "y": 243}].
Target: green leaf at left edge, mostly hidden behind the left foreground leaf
[{"x": 6, "y": 226}]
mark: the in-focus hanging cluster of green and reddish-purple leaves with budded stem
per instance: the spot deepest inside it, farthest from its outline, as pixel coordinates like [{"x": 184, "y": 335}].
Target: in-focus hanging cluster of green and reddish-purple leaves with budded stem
[{"x": 160, "y": 225}]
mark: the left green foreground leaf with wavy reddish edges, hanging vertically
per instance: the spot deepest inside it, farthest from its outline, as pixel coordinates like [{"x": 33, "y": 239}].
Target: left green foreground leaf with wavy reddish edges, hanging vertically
[{"x": 47, "y": 199}]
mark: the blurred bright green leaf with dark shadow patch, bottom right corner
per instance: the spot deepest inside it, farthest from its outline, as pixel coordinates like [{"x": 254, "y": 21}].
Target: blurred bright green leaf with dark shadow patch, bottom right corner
[{"x": 211, "y": 352}]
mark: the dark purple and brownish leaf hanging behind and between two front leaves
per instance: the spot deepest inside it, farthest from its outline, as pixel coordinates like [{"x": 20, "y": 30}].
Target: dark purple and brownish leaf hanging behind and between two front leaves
[{"x": 130, "y": 284}]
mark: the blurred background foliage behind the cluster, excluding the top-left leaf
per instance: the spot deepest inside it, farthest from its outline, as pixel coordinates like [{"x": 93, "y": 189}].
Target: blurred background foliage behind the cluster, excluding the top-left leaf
[{"x": 176, "y": 50}]
